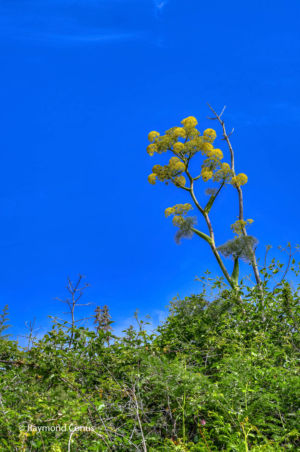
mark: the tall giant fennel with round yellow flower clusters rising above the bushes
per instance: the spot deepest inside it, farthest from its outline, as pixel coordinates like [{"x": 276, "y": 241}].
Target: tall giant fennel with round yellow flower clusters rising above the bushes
[{"x": 184, "y": 144}]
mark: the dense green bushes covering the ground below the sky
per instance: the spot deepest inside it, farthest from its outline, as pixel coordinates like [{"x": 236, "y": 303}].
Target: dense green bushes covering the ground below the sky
[{"x": 217, "y": 375}]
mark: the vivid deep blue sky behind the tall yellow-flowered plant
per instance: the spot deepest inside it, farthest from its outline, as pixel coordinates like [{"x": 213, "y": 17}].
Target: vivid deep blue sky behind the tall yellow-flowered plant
[{"x": 82, "y": 84}]
